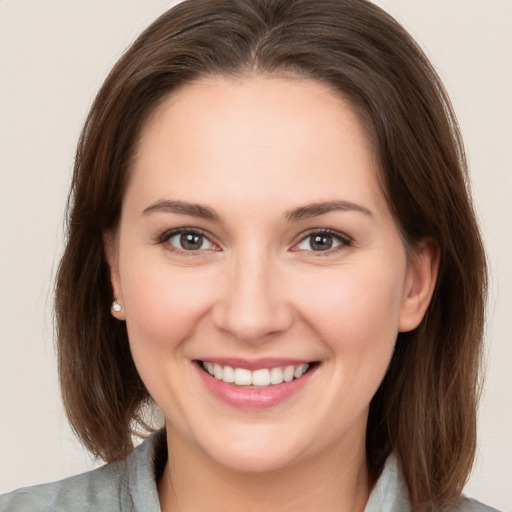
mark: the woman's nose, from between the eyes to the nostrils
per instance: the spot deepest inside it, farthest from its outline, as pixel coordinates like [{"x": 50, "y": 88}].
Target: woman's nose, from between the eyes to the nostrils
[{"x": 252, "y": 305}]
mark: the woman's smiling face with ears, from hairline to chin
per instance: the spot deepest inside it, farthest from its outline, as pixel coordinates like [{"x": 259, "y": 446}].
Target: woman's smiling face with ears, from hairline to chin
[{"x": 255, "y": 242}]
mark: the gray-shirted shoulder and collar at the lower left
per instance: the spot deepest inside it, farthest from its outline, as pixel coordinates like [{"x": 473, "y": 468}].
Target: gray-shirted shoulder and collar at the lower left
[{"x": 122, "y": 485}]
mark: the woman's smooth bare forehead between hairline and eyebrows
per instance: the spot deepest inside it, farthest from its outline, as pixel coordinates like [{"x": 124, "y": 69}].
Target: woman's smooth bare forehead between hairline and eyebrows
[{"x": 255, "y": 137}]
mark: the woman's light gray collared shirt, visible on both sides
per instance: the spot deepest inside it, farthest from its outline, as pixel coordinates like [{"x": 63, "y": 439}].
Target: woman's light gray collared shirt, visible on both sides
[{"x": 130, "y": 486}]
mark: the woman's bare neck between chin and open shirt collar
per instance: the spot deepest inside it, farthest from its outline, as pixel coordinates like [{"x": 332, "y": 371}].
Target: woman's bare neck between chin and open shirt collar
[{"x": 336, "y": 481}]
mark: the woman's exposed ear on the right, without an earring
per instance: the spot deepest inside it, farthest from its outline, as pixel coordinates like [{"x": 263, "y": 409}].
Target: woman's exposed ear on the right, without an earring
[{"x": 420, "y": 282}]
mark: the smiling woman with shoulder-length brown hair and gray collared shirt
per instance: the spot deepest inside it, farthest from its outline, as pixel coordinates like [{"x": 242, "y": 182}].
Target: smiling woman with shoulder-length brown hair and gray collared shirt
[{"x": 272, "y": 237}]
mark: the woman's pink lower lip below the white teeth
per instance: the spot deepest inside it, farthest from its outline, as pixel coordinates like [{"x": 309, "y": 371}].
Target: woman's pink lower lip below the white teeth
[{"x": 253, "y": 398}]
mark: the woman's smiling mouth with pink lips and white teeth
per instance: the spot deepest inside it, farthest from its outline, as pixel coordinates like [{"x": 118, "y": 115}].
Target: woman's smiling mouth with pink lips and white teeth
[{"x": 255, "y": 385}]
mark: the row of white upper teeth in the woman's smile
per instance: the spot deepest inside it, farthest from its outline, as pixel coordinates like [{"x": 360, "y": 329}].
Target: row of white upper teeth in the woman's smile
[{"x": 262, "y": 377}]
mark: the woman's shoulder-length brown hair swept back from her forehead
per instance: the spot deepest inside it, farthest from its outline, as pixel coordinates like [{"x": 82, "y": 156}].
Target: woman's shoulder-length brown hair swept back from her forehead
[{"x": 425, "y": 409}]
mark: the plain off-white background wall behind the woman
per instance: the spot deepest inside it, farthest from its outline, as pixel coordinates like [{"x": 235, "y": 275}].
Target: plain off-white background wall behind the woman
[{"x": 53, "y": 58}]
